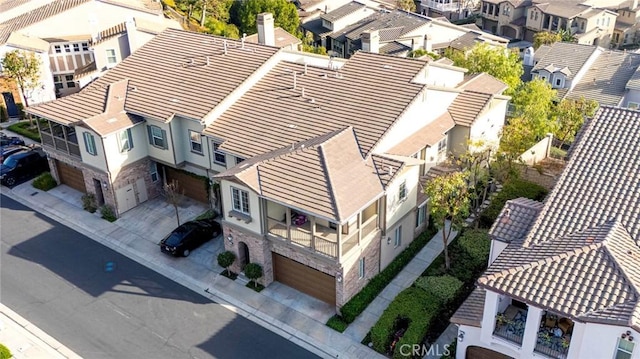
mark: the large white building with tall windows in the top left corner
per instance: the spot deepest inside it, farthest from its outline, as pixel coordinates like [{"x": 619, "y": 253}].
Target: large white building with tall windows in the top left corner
[{"x": 65, "y": 46}]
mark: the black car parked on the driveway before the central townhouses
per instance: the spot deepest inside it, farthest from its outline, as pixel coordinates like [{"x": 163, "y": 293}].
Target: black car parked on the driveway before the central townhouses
[{"x": 190, "y": 236}]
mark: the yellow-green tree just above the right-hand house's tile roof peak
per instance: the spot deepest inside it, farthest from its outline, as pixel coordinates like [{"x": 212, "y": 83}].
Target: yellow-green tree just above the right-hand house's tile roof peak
[{"x": 570, "y": 115}]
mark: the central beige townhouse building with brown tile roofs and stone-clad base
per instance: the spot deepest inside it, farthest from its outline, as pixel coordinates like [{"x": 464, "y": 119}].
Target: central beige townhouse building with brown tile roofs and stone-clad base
[{"x": 317, "y": 159}]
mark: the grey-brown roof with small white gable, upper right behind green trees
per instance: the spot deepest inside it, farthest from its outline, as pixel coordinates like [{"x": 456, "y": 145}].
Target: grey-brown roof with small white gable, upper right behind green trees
[{"x": 565, "y": 54}]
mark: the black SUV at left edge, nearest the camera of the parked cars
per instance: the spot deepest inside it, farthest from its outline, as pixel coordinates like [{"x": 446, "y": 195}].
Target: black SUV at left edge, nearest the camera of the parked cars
[{"x": 24, "y": 164}]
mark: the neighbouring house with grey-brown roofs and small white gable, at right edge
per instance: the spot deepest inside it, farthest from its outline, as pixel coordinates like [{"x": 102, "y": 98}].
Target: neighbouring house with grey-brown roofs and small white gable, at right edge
[{"x": 609, "y": 77}]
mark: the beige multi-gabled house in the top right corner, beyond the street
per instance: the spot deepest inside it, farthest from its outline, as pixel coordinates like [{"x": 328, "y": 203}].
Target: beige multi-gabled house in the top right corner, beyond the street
[{"x": 589, "y": 23}]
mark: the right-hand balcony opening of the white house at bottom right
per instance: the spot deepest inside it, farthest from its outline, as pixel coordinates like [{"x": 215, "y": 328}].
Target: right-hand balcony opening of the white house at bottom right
[{"x": 554, "y": 336}]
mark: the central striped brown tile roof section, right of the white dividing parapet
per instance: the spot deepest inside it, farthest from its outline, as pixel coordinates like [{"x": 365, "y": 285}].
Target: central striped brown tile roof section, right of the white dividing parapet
[{"x": 351, "y": 97}]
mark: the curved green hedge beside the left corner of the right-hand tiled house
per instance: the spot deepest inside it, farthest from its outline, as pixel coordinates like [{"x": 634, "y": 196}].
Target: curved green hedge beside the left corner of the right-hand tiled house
[{"x": 512, "y": 189}]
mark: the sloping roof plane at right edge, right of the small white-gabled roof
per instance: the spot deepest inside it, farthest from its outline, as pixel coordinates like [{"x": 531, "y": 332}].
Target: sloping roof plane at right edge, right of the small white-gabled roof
[{"x": 611, "y": 71}]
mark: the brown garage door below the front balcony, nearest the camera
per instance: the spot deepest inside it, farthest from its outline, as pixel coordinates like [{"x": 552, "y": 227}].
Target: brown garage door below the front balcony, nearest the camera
[{"x": 305, "y": 279}]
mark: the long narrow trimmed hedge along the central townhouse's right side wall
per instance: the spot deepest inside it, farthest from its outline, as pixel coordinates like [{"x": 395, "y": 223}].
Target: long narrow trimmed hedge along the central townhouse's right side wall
[{"x": 360, "y": 301}]
